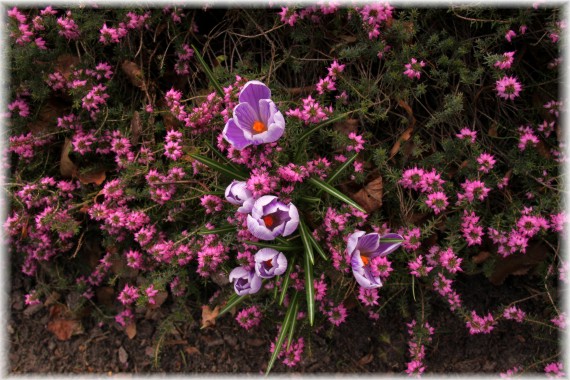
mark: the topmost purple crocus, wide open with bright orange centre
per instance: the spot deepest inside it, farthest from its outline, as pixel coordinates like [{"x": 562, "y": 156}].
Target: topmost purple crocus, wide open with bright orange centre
[{"x": 256, "y": 118}]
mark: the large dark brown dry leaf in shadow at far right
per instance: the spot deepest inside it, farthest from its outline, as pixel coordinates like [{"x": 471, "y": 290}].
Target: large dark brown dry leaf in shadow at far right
[{"x": 518, "y": 263}]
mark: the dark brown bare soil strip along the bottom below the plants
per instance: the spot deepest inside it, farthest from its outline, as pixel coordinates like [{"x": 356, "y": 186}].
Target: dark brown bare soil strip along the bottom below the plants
[{"x": 359, "y": 345}]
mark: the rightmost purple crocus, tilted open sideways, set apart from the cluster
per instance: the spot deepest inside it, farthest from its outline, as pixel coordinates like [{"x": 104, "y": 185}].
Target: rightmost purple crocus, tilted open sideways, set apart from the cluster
[{"x": 362, "y": 248}]
